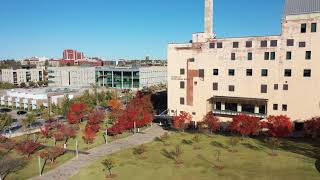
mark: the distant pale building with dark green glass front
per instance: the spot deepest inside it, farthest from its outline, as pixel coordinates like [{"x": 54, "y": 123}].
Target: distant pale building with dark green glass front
[{"x": 131, "y": 77}]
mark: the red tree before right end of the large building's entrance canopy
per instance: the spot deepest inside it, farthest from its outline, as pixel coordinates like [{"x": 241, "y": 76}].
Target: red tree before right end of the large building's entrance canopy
[{"x": 245, "y": 125}]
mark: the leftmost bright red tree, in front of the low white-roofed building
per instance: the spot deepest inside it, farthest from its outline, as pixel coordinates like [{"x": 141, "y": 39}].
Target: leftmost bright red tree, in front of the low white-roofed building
[{"x": 76, "y": 113}]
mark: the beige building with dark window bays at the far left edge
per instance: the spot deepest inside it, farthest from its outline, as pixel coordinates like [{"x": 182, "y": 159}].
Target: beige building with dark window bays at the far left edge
[{"x": 18, "y": 76}]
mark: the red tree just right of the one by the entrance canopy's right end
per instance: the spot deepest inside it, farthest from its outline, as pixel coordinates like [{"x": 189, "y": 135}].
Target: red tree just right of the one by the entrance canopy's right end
[{"x": 278, "y": 126}]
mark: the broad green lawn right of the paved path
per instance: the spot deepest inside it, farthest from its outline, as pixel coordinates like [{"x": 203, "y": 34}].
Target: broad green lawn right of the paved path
[{"x": 295, "y": 160}]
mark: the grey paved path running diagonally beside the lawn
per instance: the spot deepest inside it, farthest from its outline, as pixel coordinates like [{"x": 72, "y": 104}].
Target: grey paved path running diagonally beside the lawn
[{"x": 74, "y": 165}]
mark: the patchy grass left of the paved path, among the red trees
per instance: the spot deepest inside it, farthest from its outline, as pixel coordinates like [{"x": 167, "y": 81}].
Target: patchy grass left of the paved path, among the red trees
[{"x": 31, "y": 169}]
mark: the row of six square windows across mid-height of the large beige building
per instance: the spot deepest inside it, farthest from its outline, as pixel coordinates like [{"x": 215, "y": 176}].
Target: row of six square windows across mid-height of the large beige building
[{"x": 264, "y": 72}]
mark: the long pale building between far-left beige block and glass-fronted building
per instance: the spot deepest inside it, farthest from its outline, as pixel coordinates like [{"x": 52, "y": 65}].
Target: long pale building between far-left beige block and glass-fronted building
[{"x": 71, "y": 76}]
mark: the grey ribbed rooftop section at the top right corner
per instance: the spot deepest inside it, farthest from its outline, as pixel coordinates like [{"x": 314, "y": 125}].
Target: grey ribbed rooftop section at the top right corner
[{"x": 295, "y": 7}]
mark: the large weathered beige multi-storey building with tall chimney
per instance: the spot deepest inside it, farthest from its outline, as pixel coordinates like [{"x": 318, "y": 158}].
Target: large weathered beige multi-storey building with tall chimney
[{"x": 259, "y": 76}]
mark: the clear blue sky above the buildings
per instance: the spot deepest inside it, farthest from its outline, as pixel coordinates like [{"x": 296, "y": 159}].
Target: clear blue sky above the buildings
[{"x": 116, "y": 29}]
